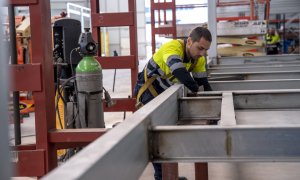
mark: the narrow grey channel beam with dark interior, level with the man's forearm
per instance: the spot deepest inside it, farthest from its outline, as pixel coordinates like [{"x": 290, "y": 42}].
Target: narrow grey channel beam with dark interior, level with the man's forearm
[{"x": 255, "y": 75}]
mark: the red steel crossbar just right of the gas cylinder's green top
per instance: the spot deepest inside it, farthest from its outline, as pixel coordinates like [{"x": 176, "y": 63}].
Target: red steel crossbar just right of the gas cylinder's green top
[{"x": 117, "y": 62}]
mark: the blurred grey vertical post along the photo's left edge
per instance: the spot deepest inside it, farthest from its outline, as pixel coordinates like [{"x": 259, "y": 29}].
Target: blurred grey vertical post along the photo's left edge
[{"x": 5, "y": 170}]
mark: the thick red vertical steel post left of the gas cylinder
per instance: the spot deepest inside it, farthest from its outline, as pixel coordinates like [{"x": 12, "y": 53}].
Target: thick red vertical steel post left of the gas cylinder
[{"x": 40, "y": 23}]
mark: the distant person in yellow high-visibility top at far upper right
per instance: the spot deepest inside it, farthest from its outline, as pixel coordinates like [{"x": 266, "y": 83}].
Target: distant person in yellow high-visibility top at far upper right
[{"x": 273, "y": 41}]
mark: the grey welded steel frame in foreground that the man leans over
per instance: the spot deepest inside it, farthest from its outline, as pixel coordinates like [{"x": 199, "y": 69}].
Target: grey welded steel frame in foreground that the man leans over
[{"x": 150, "y": 135}]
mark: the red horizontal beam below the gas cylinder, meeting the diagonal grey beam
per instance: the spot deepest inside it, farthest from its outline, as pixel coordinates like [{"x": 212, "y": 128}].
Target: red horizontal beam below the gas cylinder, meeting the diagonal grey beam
[{"x": 71, "y": 138}]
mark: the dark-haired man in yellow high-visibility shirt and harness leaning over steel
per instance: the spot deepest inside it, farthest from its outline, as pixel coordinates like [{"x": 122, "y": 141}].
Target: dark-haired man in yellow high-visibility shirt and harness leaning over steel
[{"x": 177, "y": 61}]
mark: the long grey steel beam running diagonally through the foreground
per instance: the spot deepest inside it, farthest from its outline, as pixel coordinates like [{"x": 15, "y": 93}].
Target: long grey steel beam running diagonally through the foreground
[{"x": 123, "y": 152}]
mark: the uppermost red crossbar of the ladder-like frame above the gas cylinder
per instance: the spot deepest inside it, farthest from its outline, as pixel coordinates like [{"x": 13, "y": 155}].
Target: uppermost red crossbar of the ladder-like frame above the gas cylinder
[{"x": 112, "y": 19}]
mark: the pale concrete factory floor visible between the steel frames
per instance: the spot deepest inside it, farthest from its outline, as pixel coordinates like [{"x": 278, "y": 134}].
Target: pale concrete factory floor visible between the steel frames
[{"x": 217, "y": 171}]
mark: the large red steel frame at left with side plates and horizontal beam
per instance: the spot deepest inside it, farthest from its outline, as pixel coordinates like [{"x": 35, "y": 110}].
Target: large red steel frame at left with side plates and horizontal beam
[{"x": 39, "y": 158}]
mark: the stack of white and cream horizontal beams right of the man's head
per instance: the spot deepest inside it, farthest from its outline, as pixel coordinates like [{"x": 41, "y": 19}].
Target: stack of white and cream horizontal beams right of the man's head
[{"x": 233, "y": 38}]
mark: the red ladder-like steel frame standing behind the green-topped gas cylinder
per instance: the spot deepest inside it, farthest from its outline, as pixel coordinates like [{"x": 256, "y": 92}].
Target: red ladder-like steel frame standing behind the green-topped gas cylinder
[{"x": 121, "y": 62}]
